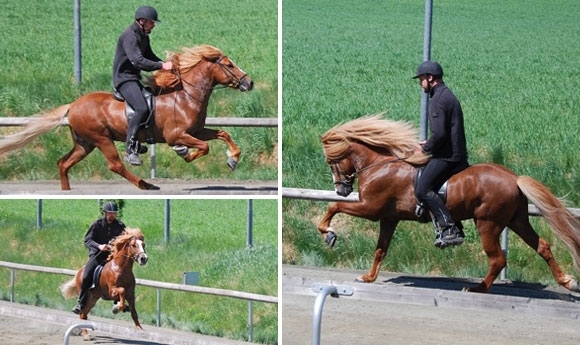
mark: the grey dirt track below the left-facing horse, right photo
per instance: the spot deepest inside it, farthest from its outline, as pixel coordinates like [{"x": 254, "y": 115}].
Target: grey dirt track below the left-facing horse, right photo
[{"x": 403, "y": 309}]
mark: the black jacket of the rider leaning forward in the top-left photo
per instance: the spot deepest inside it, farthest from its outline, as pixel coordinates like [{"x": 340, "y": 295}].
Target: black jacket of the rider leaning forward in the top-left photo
[{"x": 133, "y": 55}]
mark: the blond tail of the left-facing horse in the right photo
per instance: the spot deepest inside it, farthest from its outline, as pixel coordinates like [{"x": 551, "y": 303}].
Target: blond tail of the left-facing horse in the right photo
[{"x": 562, "y": 222}]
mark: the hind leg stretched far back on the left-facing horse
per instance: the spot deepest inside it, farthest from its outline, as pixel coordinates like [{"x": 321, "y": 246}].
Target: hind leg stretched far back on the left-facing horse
[{"x": 522, "y": 227}]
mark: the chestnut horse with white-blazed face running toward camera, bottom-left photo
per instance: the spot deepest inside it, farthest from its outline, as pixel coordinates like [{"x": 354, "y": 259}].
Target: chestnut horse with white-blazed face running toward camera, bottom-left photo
[{"x": 117, "y": 281}]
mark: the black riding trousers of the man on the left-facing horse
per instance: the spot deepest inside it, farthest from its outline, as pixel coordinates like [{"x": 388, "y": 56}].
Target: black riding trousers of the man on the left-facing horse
[{"x": 435, "y": 173}]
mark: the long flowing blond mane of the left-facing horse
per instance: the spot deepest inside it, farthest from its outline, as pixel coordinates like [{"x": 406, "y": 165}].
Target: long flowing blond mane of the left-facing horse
[{"x": 397, "y": 137}]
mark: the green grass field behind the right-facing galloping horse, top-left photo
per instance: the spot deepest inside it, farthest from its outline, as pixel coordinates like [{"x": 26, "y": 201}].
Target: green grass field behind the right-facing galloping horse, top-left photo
[{"x": 37, "y": 50}]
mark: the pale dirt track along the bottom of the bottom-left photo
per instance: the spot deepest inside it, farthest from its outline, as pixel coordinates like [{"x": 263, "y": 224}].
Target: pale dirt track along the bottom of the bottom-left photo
[{"x": 28, "y": 325}]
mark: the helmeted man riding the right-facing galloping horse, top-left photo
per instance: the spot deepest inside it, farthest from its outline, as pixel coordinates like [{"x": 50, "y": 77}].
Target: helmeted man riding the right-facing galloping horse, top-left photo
[{"x": 132, "y": 55}]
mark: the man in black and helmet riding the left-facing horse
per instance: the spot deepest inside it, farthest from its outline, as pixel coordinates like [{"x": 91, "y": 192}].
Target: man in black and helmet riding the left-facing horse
[{"x": 447, "y": 147}]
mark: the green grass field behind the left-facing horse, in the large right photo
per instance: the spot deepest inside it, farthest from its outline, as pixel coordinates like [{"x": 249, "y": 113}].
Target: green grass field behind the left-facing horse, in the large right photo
[{"x": 511, "y": 64}]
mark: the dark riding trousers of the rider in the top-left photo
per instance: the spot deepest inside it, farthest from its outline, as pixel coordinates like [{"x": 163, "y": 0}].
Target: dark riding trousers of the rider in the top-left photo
[{"x": 133, "y": 94}]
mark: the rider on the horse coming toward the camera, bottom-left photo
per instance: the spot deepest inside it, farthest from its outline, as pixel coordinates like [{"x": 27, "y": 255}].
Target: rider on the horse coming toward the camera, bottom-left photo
[{"x": 97, "y": 239}]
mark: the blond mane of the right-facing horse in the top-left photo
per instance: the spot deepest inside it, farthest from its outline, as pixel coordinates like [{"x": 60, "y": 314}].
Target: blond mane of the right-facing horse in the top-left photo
[{"x": 184, "y": 61}]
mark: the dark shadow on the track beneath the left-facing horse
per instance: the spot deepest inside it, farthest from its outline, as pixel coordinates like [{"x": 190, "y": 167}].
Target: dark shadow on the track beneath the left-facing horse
[{"x": 516, "y": 289}]
